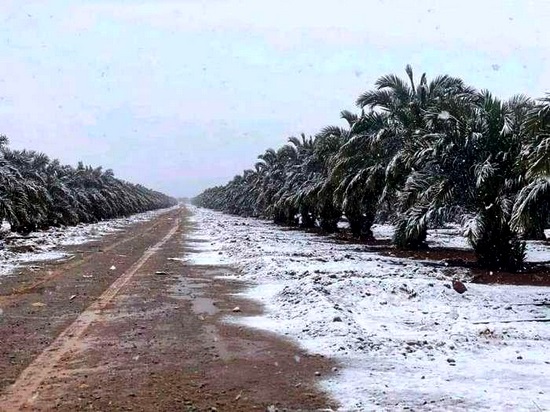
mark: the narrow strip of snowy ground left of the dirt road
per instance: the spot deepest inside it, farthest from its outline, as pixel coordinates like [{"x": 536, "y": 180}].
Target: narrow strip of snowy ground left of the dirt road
[{"x": 44, "y": 245}]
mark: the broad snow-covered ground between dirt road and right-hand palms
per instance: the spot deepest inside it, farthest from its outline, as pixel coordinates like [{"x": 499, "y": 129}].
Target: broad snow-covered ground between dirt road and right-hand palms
[{"x": 404, "y": 338}]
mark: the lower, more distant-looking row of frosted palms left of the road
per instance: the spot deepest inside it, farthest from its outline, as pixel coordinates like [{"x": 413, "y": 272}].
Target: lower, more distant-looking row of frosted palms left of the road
[{"x": 38, "y": 193}]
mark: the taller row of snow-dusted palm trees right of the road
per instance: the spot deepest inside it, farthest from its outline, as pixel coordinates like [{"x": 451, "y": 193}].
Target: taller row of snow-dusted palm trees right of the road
[{"x": 419, "y": 154}]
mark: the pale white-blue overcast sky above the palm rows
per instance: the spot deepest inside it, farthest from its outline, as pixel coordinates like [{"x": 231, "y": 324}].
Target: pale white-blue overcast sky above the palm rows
[{"x": 181, "y": 95}]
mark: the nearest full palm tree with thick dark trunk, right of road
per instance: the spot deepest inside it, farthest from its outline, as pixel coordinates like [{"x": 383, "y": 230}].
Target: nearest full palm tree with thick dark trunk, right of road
[{"x": 463, "y": 164}]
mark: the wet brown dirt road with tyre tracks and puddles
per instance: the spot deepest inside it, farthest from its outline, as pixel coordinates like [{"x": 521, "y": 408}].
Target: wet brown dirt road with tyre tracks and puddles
[{"x": 147, "y": 335}]
